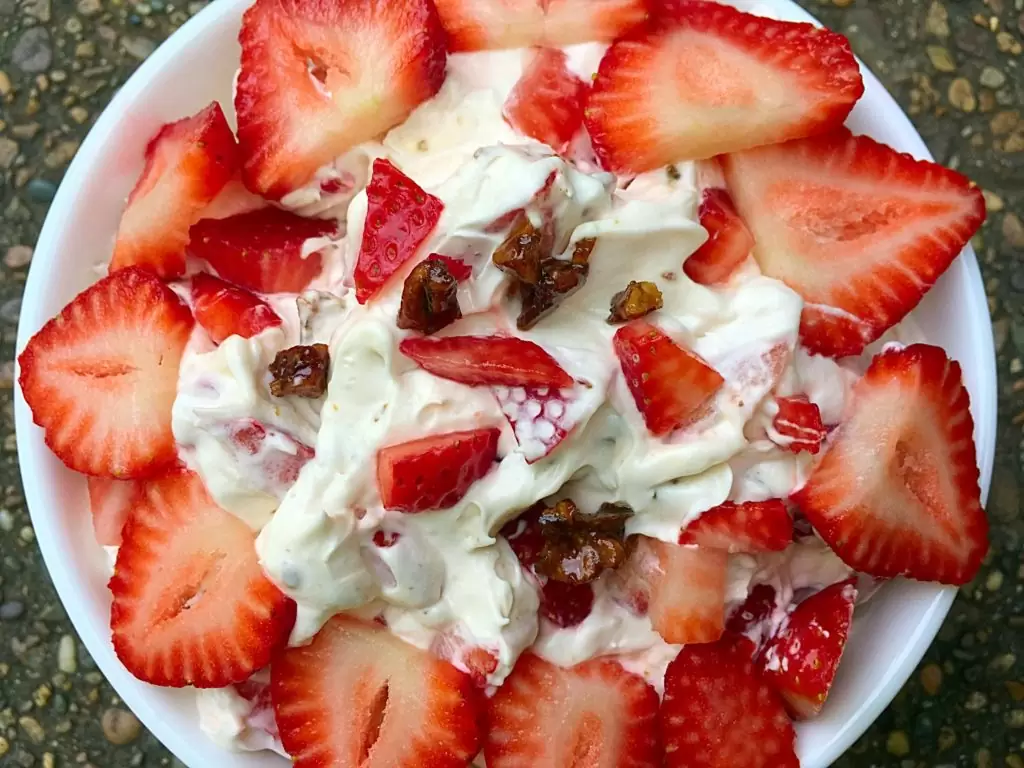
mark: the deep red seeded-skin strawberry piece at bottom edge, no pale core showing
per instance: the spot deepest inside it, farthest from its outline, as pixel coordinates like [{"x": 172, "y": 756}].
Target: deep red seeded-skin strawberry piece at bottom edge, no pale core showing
[{"x": 718, "y": 713}]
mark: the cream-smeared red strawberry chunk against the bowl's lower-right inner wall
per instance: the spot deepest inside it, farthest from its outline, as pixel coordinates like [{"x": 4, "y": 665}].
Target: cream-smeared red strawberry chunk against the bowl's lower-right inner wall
[{"x": 801, "y": 662}]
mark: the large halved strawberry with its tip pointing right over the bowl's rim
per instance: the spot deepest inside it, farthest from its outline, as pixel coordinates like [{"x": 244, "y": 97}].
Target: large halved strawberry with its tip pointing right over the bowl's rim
[{"x": 859, "y": 230}]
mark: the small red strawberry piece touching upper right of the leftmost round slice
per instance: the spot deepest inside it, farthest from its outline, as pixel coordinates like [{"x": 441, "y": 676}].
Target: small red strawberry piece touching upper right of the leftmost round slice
[{"x": 224, "y": 310}]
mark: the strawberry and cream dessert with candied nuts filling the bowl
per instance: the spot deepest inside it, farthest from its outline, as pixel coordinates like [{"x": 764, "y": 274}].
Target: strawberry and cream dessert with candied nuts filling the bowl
[{"x": 523, "y": 382}]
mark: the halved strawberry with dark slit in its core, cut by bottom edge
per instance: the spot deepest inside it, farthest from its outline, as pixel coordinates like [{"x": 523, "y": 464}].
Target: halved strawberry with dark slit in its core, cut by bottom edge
[{"x": 403, "y": 707}]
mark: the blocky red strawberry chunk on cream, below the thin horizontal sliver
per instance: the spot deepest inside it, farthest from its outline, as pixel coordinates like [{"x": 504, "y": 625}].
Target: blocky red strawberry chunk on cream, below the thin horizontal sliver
[{"x": 435, "y": 473}]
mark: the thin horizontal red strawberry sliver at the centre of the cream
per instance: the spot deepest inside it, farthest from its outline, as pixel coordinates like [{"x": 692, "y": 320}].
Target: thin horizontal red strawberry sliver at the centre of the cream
[{"x": 498, "y": 361}]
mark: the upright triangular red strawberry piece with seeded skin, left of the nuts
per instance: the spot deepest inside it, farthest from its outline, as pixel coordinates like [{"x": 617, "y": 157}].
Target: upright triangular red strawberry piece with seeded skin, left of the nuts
[{"x": 400, "y": 218}]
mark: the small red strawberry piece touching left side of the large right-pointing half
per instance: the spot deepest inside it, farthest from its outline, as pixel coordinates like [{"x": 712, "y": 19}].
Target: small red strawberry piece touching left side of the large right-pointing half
[{"x": 730, "y": 242}]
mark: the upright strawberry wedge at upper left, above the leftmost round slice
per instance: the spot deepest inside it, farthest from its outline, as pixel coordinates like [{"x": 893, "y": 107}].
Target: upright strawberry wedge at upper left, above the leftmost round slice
[{"x": 187, "y": 165}]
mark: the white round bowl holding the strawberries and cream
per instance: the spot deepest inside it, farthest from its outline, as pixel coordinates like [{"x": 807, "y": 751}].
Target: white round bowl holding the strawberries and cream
[{"x": 196, "y": 66}]
